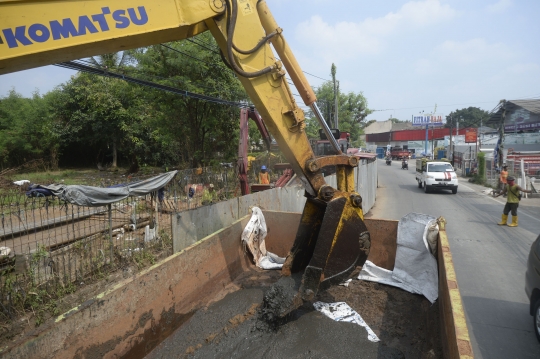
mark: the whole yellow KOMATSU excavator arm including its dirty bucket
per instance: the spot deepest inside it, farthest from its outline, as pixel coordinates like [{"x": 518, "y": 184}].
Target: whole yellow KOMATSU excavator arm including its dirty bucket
[{"x": 332, "y": 238}]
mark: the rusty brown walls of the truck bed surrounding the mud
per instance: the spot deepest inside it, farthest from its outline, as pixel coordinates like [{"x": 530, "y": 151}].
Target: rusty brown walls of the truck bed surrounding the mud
[{"x": 134, "y": 316}]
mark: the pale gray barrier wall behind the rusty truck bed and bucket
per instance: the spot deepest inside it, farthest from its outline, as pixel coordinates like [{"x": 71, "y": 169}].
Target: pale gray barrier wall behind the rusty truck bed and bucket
[{"x": 192, "y": 225}]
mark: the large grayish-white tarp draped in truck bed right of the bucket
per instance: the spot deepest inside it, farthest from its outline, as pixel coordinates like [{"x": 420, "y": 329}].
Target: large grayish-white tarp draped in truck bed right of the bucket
[{"x": 415, "y": 269}]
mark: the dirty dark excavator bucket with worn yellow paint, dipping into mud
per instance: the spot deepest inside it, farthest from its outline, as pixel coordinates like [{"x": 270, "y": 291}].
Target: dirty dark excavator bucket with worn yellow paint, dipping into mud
[{"x": 331, "y": 241}]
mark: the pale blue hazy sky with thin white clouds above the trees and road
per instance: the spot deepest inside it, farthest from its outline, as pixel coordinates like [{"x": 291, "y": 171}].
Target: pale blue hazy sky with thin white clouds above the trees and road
[{"x": 404, "y": 56}]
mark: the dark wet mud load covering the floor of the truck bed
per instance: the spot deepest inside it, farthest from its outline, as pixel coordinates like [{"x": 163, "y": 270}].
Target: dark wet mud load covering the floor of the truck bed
[{"x": 407, "y": 324}]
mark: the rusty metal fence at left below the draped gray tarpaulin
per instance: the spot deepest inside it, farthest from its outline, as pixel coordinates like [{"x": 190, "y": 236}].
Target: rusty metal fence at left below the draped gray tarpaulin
[{"x": 47, "y": 246}]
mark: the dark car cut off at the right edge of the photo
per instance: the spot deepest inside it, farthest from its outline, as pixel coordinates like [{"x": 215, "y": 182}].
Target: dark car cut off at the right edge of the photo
[{"x": 532, "y": 284}]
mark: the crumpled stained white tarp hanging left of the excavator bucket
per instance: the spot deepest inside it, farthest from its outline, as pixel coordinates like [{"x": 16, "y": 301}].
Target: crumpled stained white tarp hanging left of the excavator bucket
[{"x": 253, "y": 238}]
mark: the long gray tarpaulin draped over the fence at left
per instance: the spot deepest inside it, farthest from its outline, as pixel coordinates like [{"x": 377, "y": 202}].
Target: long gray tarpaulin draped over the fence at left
[{"x": 96, "y": 196}]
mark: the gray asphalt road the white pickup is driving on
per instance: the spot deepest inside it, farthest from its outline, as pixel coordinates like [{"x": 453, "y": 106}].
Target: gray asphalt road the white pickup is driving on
[{"x": 490, "y": 260}]
